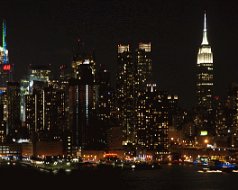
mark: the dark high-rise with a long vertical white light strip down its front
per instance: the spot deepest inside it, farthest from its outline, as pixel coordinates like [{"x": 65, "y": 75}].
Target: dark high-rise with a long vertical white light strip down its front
[{"x": 80, "y": 112}]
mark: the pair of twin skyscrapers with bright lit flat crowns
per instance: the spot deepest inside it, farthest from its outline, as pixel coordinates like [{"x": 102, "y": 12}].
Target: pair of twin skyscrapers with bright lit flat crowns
[{"x": 134, "y": 72}]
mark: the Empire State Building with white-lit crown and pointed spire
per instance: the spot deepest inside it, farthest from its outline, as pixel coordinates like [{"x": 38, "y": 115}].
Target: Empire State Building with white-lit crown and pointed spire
[{"x": 204, "y": 72}]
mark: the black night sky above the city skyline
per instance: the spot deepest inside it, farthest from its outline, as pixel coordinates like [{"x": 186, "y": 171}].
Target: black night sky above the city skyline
[{"x": 46, "y": 33}]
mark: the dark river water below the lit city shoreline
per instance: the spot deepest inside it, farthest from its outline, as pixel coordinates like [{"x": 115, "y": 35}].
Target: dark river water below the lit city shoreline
[{"x": 168, "y": 177}]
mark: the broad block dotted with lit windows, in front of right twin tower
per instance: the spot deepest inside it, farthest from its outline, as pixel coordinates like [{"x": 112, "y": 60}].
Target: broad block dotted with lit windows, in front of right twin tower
[{"x": 152, "y": 122}]
